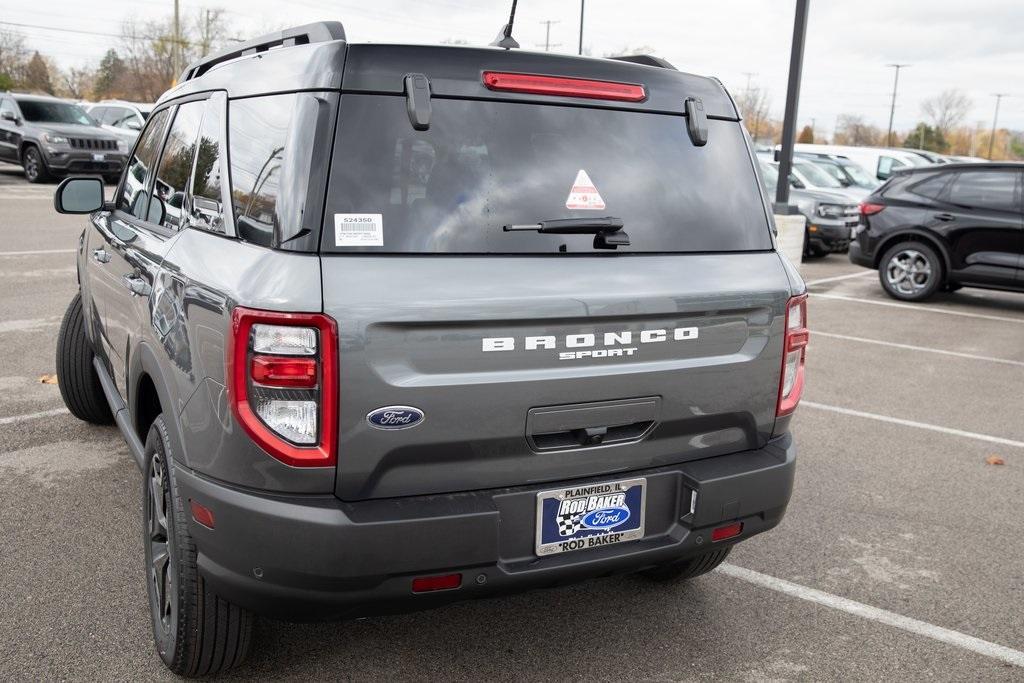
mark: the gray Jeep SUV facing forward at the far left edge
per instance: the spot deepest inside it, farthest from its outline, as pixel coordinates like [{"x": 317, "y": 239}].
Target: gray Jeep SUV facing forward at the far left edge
[{"x": 50, "y": 138}]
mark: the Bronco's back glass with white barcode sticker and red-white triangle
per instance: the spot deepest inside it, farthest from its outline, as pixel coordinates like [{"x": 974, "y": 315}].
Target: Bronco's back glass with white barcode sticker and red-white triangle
[{"x": 483, "y": 165}]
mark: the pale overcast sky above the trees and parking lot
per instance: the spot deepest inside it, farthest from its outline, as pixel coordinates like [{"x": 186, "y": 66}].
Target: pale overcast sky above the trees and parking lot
[{"x": 975, "y": 47}]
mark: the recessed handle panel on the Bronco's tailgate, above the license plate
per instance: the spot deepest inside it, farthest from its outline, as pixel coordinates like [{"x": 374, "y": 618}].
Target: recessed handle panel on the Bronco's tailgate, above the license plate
[{"x": 600, "y": 423}]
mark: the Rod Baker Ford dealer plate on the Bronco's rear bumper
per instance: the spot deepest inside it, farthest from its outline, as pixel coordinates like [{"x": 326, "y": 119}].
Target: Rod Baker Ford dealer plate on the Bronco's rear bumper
[{"x": 590, "y": 517}]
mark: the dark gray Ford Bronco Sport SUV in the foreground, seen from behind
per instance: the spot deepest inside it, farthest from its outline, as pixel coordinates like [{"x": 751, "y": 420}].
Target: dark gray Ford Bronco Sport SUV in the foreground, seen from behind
[{"x": 389, "y": 327}]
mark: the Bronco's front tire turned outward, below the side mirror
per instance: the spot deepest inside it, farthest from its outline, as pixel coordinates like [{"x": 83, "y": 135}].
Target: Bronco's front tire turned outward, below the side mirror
[{"x": 77, "y": 378}]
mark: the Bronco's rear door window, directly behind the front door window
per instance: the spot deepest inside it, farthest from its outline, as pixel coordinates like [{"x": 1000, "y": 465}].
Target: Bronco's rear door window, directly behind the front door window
[{"x": 168, "y": 205}]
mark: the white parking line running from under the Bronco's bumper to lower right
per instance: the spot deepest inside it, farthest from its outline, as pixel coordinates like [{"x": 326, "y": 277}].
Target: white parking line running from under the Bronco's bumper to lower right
[{"x": 956, "y": 638}]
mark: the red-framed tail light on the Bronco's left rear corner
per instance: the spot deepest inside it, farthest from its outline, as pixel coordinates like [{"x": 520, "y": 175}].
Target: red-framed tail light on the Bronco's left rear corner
[{"x": 283, "y": 373}]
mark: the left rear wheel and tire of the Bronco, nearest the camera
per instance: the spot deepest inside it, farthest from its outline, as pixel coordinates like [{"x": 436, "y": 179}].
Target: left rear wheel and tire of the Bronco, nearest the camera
[{"x": 197, "y": 633}]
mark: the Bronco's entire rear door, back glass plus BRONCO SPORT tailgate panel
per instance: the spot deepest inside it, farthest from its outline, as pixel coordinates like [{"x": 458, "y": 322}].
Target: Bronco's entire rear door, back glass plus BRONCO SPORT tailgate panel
[{"x": 533, "y": 357}]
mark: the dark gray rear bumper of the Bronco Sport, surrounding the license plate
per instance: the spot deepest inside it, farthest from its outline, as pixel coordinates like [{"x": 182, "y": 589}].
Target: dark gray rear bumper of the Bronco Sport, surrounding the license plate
[{"x": 306, "y": 559}]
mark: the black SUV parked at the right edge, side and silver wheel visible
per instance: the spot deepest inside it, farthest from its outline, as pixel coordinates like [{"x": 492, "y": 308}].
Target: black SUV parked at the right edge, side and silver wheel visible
[{"x": 945, "y": 228}]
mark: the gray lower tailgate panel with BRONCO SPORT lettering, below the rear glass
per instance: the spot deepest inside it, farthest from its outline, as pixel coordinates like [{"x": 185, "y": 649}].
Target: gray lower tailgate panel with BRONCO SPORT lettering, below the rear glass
[{"x": 413, "y": 330}]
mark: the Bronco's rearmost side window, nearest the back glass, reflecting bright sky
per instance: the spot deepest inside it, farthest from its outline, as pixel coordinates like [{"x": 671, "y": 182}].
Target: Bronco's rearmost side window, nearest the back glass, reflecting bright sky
[{"x": 259, "y": 140}]
